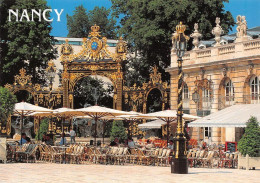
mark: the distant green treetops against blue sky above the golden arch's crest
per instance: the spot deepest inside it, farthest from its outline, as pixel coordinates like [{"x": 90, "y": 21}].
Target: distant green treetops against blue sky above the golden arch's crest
[{"x": 79, "y": 24}]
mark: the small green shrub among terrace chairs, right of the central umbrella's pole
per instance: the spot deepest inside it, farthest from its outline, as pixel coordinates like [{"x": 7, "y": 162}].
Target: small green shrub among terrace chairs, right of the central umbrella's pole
[{"x": 118, "y": 130}]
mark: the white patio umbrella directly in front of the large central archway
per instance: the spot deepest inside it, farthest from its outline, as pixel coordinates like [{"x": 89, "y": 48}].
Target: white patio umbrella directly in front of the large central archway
[{"x": 97, "y": 112}]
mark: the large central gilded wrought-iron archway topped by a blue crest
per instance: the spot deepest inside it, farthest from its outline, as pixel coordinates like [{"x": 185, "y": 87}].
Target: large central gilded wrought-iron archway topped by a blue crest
[{"x": 93, "y": 59}]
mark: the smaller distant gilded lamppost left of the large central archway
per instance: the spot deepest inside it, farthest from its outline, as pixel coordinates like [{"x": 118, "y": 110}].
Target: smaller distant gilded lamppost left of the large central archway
[{"x": 51, "y": 72}]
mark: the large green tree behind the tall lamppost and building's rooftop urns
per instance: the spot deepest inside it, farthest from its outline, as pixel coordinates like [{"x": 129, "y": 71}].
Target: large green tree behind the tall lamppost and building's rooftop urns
[{"x": 148, "y": 25}]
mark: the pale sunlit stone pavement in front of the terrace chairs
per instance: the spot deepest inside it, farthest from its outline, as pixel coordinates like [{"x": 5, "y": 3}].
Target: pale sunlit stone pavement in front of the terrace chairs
[{"x": 69, "y": 173}]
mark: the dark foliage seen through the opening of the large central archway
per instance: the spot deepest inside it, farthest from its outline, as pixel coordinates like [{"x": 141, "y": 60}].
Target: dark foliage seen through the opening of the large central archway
[{"x": 85, "y": 91}]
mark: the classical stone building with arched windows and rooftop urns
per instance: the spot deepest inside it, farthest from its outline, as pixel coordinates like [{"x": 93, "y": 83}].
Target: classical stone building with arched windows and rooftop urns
[{"x": 218, "y": 73}]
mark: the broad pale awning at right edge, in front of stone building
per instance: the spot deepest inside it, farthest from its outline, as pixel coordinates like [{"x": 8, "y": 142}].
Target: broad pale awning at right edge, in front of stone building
[{"x": 233, "y": 116}]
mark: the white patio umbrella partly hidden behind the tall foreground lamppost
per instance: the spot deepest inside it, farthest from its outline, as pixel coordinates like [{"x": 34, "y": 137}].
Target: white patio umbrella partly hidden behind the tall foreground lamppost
[{"x": 168, "y": 116}]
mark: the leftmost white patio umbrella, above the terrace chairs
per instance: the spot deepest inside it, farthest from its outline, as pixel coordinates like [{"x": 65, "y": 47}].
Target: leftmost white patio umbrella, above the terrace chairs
[{"x": 25, "y": 109}]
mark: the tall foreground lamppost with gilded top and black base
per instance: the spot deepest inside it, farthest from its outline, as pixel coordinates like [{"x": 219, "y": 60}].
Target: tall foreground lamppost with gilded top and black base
[{"x": 180, "y": 162}]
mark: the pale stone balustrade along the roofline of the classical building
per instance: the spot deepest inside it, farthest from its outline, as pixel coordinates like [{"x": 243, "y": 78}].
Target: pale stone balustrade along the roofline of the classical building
[{"x": 214, "y": 55}]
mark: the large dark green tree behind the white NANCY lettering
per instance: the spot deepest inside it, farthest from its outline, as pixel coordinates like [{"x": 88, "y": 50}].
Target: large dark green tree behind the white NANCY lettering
[{"x": 29, "y": 43}]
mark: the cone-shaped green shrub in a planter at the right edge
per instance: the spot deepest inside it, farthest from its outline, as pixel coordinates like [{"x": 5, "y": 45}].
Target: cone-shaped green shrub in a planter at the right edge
[{"x": 250, "y": 142}]
